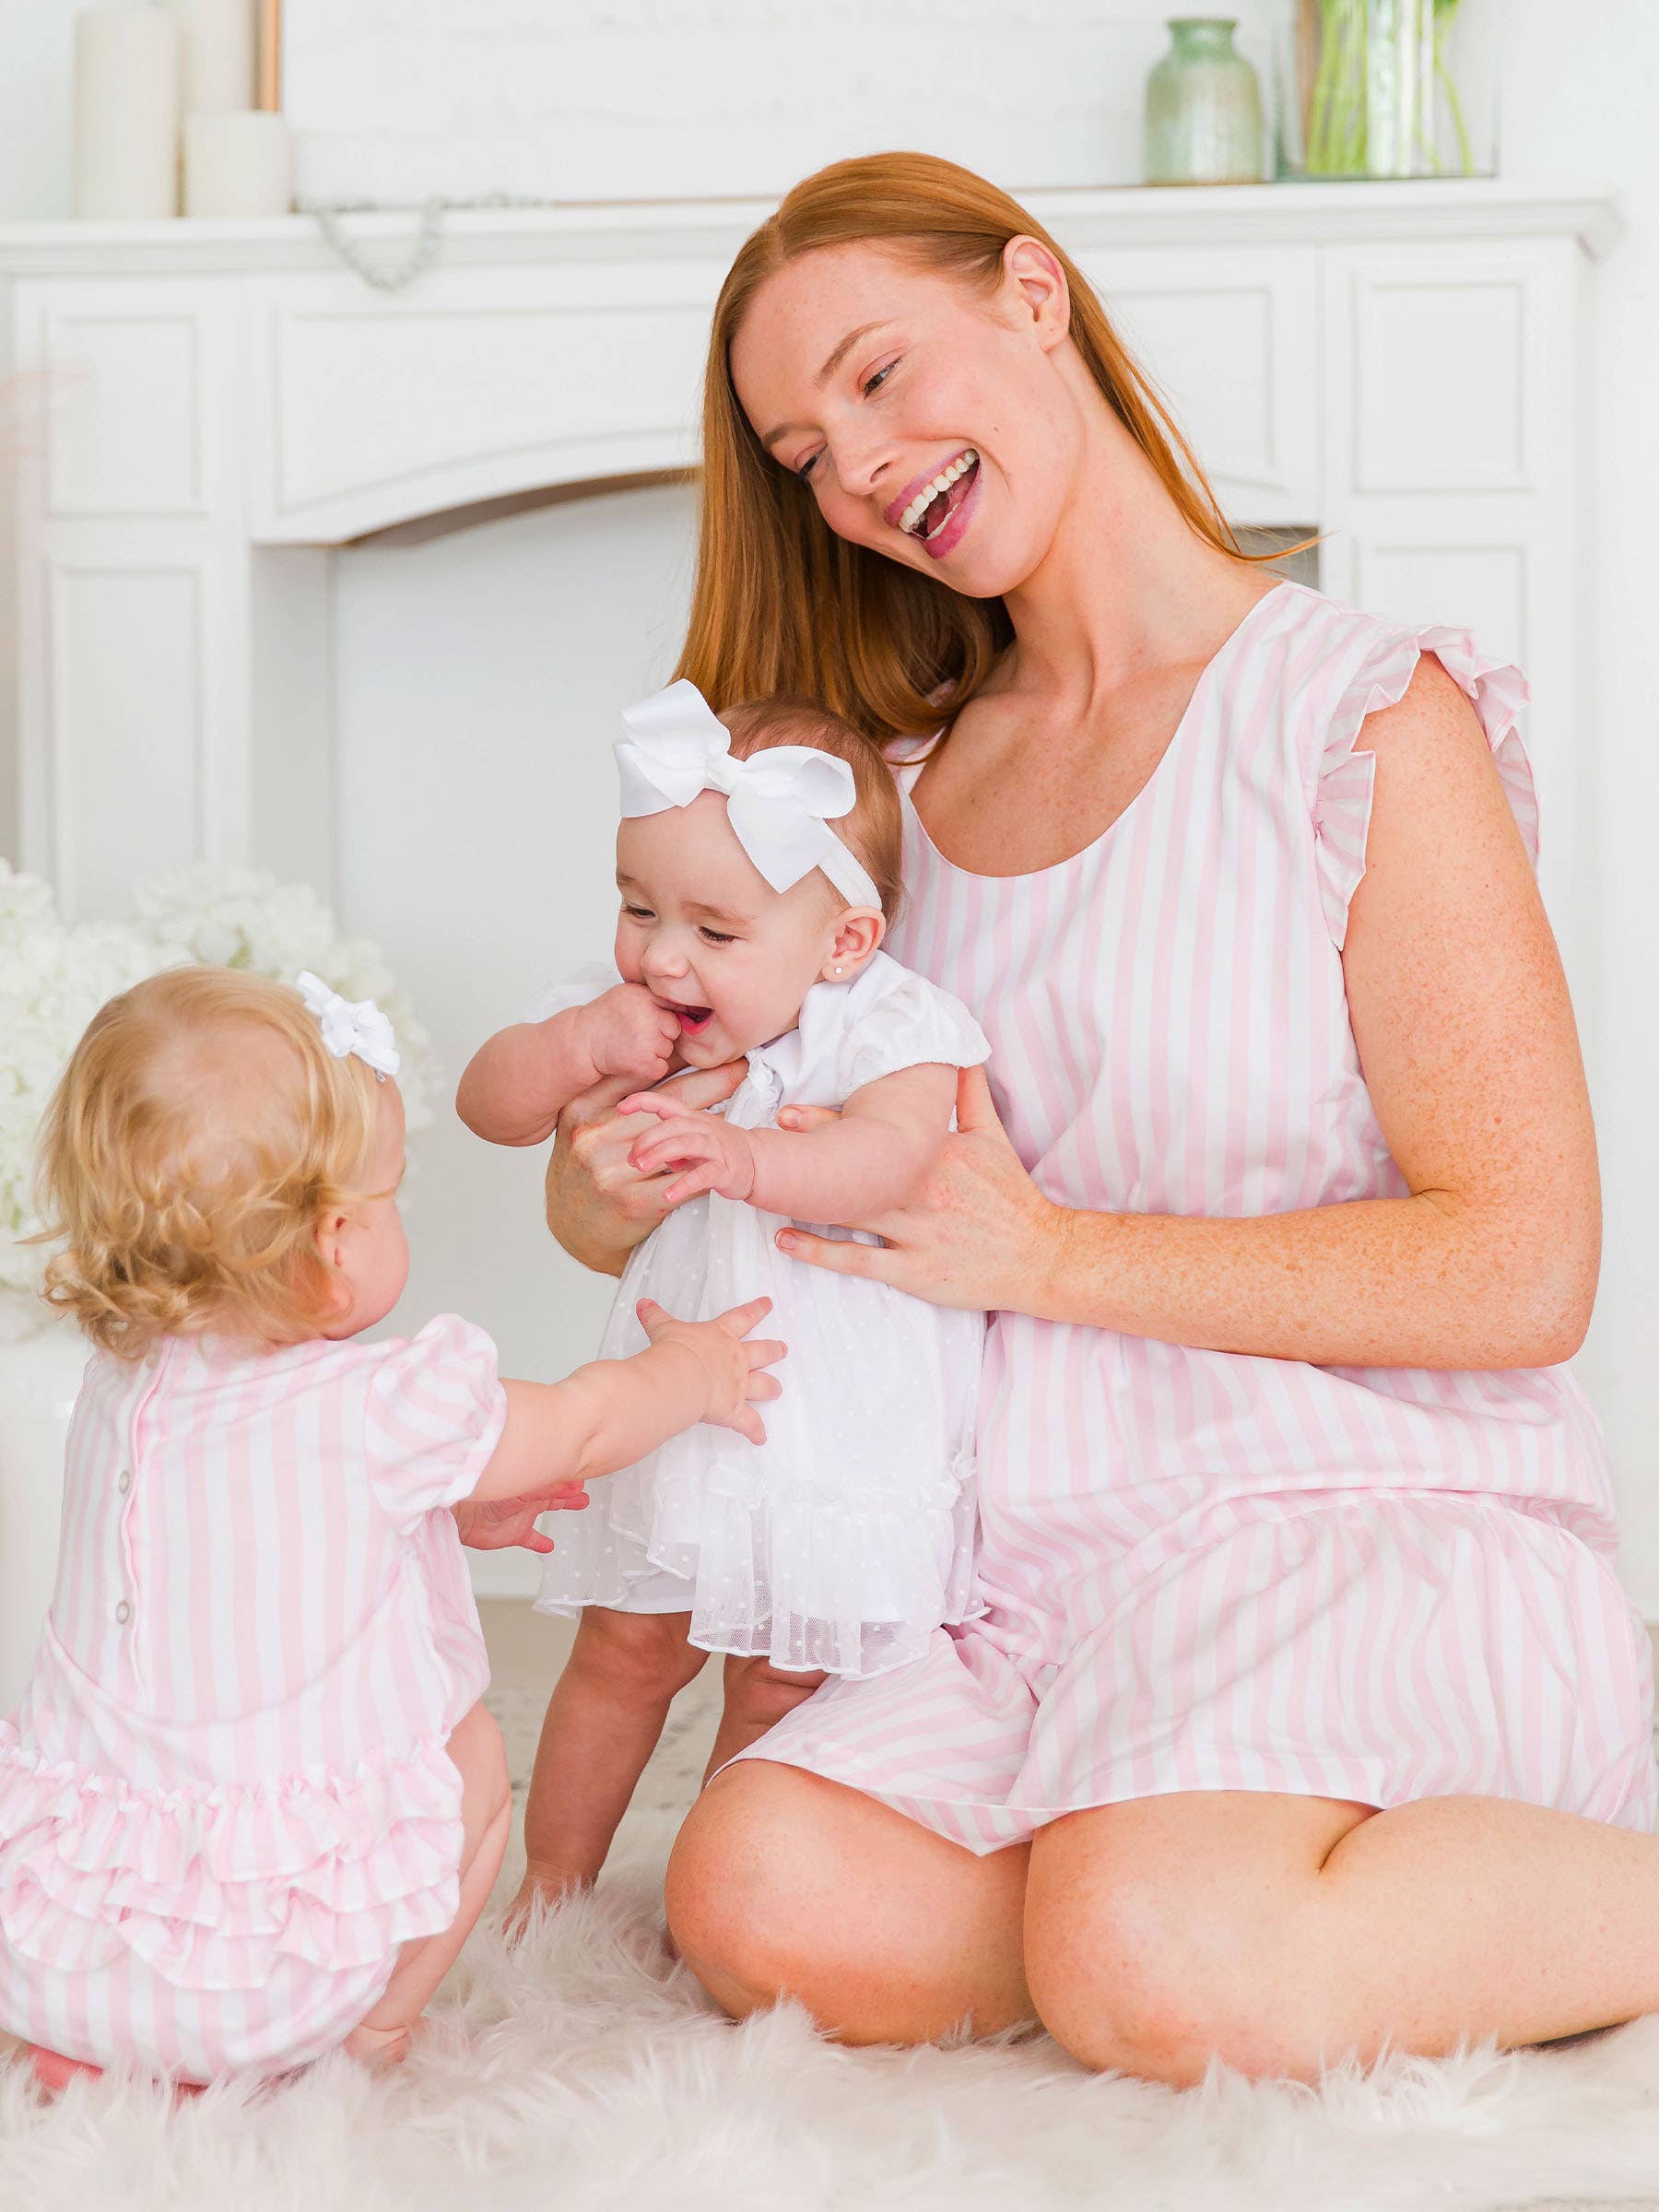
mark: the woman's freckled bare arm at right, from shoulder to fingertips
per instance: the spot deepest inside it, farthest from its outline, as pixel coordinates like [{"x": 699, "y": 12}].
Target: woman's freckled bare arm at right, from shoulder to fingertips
[{"x": 1470, "y": 1052}]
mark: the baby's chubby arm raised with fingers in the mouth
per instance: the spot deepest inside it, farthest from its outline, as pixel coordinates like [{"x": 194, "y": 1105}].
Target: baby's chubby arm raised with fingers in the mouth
[{"x": 519, "y": 1085}]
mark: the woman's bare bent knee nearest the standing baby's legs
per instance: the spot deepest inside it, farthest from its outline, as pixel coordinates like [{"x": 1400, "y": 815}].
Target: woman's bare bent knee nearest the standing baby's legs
[{"x": 784, "y": 1884}]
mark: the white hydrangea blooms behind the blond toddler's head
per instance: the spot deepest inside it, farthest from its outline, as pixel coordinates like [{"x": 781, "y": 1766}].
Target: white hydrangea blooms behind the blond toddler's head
[{"x": 56, "y": 979}]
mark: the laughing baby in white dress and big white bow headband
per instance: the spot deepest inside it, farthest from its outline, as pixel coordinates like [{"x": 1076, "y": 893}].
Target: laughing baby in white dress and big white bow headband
[{"x": 758, "y": 870}]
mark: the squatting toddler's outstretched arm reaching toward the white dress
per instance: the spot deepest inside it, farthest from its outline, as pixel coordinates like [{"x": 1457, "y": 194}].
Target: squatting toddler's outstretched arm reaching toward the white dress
[{"x": 614, "y": 1412}]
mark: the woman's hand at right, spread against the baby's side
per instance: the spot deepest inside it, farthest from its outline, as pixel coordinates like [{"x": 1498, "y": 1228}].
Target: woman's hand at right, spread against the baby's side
[{"x": 977, "y": 1233}]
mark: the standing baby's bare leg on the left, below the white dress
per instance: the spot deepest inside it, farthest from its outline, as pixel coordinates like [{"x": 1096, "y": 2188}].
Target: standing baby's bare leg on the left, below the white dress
[{"x": 601, "y": 1729}]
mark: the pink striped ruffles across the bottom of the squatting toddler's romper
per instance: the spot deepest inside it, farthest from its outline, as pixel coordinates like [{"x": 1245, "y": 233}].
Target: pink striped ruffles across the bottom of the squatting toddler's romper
[{"x": 211, "y": 1886}]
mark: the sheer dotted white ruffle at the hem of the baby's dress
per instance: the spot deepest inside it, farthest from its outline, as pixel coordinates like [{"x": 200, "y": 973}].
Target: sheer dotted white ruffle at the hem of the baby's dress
[{"x": 793, "y": 1580}]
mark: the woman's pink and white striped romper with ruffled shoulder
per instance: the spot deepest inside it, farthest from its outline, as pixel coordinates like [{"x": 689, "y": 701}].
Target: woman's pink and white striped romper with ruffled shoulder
[{"x": 1211, "y": 1572}]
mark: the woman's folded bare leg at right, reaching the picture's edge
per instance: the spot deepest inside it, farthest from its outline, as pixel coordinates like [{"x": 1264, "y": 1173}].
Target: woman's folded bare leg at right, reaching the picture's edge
[{"x": 1284, "y": 1934}]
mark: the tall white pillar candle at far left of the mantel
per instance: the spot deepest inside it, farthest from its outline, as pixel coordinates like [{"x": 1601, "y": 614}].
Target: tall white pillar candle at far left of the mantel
[{"x": 127, "y": 114}]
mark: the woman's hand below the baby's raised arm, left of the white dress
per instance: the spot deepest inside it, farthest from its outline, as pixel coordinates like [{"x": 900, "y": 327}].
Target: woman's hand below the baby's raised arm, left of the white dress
[{"x": 598, "y": 1207}]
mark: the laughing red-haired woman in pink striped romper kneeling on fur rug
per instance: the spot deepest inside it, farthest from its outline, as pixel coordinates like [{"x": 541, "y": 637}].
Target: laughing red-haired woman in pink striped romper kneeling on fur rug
[{"x": 1306, "y": 1715}]
